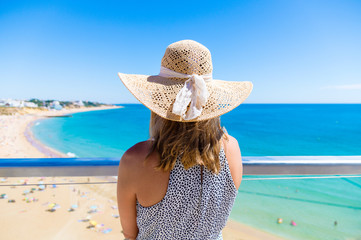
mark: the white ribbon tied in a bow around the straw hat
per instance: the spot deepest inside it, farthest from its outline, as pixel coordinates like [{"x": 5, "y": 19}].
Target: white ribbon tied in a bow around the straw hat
[{"x": 194, "y": 92}]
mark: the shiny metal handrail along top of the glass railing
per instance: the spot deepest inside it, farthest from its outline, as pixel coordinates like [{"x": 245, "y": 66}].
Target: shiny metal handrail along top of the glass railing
[{"x": 264, "y": 165}]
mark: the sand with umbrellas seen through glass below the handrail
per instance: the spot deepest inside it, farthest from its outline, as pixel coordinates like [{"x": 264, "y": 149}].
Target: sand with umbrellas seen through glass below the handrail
[{"x": 81, "y": 211}]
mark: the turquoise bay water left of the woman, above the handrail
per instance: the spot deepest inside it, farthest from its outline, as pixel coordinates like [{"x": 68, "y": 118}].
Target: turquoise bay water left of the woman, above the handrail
[{"x": 104, "y": 133}]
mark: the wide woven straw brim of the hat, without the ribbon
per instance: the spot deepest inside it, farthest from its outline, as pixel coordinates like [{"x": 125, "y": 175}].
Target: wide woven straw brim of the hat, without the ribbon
[{"x": 159, "y": 93}]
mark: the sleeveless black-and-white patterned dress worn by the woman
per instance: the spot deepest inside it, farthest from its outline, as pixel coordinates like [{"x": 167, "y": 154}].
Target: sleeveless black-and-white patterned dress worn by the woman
[{"x": 191, "y": 208}]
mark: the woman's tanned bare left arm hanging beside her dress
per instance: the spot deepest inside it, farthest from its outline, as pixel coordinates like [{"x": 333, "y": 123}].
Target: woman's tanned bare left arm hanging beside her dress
[{"x": 126, "y": 194}]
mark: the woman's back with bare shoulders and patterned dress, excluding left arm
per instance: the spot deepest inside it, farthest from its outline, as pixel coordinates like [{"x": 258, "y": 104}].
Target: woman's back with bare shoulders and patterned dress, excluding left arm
[{"x": 182, "y": 204}]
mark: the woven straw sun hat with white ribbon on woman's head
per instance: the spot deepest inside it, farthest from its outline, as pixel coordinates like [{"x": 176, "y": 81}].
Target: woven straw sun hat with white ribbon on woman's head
[{"x": 184, "y": 90}]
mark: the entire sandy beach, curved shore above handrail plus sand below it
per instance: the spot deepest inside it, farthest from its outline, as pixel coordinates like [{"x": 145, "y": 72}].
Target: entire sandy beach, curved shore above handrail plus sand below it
[{"x": 64, "y": 209}]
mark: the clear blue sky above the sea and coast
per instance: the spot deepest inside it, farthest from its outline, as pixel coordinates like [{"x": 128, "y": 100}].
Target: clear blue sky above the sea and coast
[{"x": 294, "y": 51}]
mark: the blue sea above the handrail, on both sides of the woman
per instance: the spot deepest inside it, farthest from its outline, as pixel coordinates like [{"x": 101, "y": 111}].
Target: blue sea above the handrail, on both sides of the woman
[{"x": 261, "y": 130}]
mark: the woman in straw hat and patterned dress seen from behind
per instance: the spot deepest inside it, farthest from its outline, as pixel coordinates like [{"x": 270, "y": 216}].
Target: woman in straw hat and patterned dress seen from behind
[{"x": 182, "y": 182}]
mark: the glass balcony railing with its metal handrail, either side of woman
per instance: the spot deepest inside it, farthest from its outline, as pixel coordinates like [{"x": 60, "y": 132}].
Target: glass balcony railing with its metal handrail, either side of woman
[{"x": 279, "y": 198}]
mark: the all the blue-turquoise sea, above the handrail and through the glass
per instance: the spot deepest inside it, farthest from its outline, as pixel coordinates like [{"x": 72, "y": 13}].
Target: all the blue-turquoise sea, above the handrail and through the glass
[{"x": 322, "y": 208}]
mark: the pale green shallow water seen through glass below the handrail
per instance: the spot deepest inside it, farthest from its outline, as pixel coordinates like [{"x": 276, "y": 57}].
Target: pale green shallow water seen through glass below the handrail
[{"x": 316, "y": 207}]
